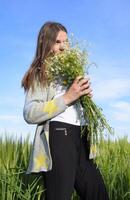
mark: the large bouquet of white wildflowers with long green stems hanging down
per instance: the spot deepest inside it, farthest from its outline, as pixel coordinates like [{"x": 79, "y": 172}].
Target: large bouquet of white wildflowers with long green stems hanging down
[{"x": 63, "y": 68}]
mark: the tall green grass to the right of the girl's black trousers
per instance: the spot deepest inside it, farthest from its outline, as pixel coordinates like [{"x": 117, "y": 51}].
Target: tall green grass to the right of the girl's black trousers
[{"x": 114, "y": 164}]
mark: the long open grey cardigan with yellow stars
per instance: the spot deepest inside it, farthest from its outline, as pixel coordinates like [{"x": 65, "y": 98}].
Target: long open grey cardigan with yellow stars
[{"x": 40, "y": 106}]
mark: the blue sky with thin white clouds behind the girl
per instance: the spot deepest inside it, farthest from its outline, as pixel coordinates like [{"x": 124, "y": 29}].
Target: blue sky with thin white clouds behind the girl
[{"x": 104, "y": 24}]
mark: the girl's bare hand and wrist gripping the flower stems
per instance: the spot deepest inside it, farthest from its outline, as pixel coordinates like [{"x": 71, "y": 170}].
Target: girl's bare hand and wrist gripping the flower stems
[{"x": 80, "y": 87}]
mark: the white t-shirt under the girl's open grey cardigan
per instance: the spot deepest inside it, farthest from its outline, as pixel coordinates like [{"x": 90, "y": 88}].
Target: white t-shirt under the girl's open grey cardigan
[{"x": 73, "y": 114}]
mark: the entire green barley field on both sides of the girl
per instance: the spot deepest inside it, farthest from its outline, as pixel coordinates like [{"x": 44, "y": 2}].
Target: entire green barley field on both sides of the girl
[{"x": 114, "y": 164}]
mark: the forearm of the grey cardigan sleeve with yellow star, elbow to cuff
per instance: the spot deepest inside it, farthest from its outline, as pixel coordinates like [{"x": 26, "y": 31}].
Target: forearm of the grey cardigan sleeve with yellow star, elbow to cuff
[{"x": 36, "y": 112}]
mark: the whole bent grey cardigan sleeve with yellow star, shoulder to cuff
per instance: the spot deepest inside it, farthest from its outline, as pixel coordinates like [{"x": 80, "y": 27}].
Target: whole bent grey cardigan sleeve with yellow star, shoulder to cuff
[{"x": 38, "y": 108}]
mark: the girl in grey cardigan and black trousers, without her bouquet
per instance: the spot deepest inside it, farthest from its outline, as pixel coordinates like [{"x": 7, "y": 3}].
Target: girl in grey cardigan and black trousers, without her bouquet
[{"x": 58, "y": 150}]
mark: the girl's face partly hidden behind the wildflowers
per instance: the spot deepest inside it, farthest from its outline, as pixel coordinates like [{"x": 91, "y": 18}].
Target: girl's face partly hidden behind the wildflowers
[{"x": 61, "y": 42}]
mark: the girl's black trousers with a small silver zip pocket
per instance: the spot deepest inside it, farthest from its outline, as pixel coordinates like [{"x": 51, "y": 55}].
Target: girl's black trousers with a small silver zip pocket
[{"x": 71, "y": 168}]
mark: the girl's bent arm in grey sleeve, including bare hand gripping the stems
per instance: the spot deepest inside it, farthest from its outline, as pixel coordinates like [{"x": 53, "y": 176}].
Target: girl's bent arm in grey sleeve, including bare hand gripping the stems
[{"x": 38, "y": 109}]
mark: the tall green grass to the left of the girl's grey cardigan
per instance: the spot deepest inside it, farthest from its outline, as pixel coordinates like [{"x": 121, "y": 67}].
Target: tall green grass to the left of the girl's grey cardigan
[{"x": 14, "y": 183}]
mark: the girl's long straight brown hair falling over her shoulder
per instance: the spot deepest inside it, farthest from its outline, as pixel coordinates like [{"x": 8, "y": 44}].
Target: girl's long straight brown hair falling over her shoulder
[{"x": 46, "y": 39}]
